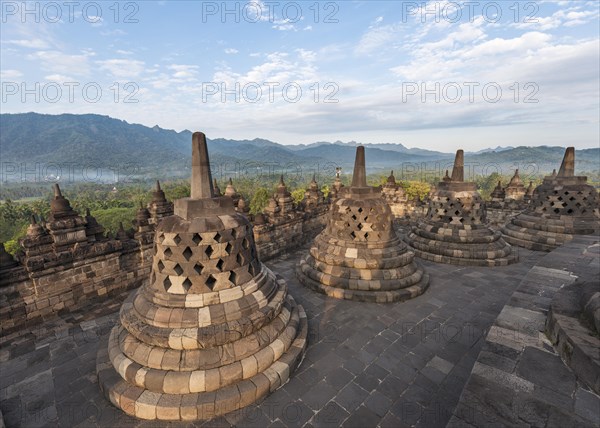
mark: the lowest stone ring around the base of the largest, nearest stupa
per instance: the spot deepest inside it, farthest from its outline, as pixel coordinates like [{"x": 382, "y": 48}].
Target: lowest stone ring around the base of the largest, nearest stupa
[{"x": 144, "y": 404}]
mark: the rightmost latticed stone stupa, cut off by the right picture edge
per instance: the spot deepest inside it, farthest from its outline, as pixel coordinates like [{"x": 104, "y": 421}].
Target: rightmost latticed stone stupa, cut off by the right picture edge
[{"x": 562, "y": 206}]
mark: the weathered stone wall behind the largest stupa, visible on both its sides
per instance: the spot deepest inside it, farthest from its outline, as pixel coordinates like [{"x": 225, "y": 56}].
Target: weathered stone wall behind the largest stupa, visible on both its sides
[{"x": 47, "y": 282}]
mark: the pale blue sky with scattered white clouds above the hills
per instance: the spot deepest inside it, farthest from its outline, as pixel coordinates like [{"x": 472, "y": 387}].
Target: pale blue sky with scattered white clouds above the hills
[{"x": 437, "y": 75}]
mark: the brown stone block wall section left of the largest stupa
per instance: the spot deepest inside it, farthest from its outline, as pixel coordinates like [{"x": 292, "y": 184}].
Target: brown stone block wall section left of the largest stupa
[{"x": 103, "y": 269}]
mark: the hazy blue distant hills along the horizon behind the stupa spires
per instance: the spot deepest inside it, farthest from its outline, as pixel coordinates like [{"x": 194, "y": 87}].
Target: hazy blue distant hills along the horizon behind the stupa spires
[{"x": 106, "y": 142}]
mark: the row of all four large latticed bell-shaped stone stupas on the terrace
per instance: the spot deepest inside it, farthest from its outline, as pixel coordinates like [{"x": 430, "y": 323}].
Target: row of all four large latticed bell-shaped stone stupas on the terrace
[{"x": 214, "y": 330}]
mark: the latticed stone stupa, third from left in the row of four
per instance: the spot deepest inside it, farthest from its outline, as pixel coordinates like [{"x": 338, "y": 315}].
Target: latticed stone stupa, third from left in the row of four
[{"x": 454, "y": 230}]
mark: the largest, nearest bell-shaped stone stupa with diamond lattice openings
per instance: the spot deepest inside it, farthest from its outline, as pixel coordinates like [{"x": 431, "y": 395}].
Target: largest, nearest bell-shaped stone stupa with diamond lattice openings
[{"x": 213, "y": 330}]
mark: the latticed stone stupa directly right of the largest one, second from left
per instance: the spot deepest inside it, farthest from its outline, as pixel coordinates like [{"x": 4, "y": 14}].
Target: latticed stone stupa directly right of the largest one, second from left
[{"x": 358, "y": 256}]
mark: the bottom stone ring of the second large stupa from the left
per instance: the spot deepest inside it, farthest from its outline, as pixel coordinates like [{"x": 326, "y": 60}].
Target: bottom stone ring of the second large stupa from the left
[{"x": 372, "y": 296}]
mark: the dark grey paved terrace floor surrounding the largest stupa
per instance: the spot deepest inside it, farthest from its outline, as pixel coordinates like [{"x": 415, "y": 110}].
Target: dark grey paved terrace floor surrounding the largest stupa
[{"x": 367, "y": 364}]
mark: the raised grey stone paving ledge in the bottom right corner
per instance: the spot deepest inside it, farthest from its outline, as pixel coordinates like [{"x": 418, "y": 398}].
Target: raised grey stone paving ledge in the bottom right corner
[{"x": 519, "y": 379}]
